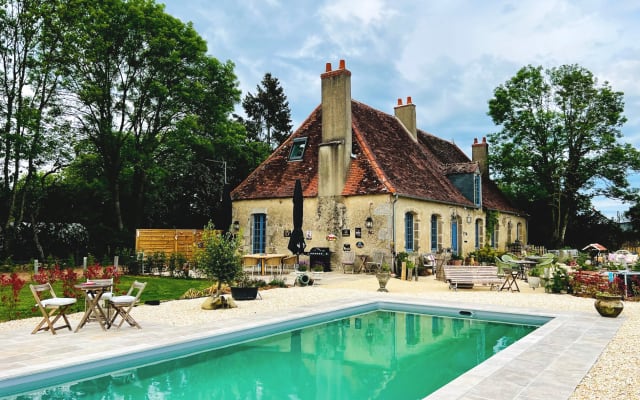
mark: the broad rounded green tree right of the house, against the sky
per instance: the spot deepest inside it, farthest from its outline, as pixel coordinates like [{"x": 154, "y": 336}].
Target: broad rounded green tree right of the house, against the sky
[{"x": 559, "y": 142}]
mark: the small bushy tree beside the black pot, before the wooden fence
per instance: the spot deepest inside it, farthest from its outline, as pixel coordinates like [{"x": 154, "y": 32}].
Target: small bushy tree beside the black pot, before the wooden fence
[{"x": 218, "y": 257}]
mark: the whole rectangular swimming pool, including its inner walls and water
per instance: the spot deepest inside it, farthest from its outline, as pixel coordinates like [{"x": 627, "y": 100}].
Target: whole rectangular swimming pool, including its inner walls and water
[{"x": 353, "y": 345}]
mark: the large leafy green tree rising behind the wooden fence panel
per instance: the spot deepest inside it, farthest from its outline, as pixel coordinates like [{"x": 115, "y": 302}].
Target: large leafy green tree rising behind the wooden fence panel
[{"x": 136, "y": 72}]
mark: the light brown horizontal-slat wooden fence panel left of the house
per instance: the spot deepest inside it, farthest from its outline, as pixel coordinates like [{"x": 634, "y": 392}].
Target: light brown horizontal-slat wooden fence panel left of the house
[{"x": 168, "y": 241}]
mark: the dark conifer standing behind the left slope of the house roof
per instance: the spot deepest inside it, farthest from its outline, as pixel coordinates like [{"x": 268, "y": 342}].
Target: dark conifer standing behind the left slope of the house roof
[{"x": 269, "y": 116}]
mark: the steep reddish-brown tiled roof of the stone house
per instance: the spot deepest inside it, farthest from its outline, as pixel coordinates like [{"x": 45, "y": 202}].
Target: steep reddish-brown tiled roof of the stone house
[{"x": 386, "y": 159}]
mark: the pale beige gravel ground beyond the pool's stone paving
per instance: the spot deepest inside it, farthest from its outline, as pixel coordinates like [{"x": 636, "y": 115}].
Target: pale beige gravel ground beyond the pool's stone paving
[{"x": 614, "y": 376}]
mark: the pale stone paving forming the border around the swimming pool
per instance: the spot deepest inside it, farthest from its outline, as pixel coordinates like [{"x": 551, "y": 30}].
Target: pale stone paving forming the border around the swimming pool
[{"x": 548, "y": 363}]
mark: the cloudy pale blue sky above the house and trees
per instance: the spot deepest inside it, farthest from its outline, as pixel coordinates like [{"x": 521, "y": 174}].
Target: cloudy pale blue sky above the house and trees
[{"x": 449, "y": 56}]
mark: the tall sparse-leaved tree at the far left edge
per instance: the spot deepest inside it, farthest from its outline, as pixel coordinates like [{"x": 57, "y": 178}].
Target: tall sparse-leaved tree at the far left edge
[{"x": 32, "y": 134}]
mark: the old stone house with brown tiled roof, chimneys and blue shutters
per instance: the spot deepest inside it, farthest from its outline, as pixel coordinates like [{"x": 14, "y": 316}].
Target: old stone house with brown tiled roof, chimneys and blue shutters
[{"x": 374, "y": 182}]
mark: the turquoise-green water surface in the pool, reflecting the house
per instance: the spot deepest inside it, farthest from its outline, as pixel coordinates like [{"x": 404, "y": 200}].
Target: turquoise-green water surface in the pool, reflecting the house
[{"x": 383, "y": 354}]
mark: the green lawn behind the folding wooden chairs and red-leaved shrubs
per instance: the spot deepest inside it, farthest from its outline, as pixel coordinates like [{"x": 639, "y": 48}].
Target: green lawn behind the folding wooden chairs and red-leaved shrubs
[{"x": 158, "y": 288}]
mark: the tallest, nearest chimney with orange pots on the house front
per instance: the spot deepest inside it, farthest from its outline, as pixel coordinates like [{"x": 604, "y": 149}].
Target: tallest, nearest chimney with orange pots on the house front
[{"x": 334, "y": 153}]
